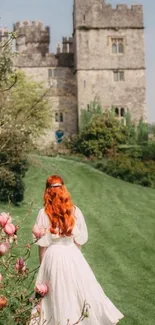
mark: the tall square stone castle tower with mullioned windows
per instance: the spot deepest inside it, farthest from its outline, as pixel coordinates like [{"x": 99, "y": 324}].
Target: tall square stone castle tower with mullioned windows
[{"x": 110, "y": 56}]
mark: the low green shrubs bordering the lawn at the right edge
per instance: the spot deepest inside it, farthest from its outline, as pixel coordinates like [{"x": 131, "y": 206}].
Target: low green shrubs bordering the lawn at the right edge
[{"x": 130, "y": 170}]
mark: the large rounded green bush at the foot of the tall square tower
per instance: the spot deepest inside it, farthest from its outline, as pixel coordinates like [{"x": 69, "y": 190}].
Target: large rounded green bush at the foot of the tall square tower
[{"x": 102, "y": 134}]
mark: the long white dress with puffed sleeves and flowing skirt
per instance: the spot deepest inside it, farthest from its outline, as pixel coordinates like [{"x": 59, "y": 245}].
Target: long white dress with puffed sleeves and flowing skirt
[{"x": 70, "y": 280}]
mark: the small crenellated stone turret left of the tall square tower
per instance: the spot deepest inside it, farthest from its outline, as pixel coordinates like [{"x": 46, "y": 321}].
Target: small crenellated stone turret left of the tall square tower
[{"x": 32, "y": 37}]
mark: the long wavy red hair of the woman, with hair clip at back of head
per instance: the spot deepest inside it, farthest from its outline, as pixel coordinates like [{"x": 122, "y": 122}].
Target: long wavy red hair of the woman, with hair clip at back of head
[{"x": 59, "y": 206}]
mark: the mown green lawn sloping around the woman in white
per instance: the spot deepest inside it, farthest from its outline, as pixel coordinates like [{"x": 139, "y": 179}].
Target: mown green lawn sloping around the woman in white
[{"x": 121, "y": 224}]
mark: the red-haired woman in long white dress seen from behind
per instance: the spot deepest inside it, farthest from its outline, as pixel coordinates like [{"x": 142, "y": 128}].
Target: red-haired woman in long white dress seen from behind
[{"x": 71, "y": 282}]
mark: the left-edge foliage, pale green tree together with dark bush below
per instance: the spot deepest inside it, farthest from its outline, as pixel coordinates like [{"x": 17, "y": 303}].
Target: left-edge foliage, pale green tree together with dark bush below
[{"x": 24, "y": 115}]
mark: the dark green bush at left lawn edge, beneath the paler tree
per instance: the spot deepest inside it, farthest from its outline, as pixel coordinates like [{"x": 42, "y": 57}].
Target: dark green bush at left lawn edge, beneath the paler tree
[{"x": 13, "y": 166}]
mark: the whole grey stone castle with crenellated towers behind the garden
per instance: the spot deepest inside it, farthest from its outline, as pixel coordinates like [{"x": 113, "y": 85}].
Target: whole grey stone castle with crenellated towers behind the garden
[{"x": 103, "y": 61}]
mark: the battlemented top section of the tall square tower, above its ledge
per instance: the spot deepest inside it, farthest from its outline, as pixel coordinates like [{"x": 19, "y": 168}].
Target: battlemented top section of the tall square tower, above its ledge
[{"x": 100, "y": 15}]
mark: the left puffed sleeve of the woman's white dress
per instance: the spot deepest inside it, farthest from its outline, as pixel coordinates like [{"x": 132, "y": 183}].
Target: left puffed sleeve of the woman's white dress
[{"x": 43, "y": 221}]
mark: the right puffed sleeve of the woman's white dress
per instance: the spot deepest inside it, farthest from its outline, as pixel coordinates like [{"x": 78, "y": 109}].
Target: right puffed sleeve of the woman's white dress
[{"x": 81, "y": 232}]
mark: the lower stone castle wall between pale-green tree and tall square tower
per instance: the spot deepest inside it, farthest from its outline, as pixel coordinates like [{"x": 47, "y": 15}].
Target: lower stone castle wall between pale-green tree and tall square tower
[{"x": 61, "y": 94}]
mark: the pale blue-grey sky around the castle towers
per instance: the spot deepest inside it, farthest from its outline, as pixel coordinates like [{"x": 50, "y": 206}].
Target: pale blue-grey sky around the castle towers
[{"x": 58, "y": 15}]
